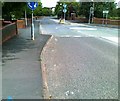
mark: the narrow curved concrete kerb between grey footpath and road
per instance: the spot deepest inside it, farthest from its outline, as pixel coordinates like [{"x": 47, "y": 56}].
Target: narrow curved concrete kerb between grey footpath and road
[{"x": 44, "y": 73}]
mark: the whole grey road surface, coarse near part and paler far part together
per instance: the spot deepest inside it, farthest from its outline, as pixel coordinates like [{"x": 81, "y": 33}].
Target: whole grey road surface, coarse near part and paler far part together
[{"x": 80, "y": 62}]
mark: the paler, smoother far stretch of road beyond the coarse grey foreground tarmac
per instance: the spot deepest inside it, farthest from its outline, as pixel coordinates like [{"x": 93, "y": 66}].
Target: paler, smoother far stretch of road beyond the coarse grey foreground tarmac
[{"x": 78, "y": 30}]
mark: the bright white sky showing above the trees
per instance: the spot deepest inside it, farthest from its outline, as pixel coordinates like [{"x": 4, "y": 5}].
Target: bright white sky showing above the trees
[{"x": 52, "y": 3}]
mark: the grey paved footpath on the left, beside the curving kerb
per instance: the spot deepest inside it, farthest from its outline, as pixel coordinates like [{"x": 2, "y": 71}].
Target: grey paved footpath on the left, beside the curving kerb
[{"x": 21, "y": 70}]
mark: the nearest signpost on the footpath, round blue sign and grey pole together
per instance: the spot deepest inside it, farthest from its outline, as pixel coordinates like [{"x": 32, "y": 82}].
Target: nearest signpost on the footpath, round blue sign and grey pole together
[{"x": 32, "y": 6}]
